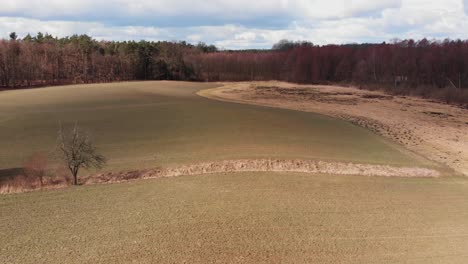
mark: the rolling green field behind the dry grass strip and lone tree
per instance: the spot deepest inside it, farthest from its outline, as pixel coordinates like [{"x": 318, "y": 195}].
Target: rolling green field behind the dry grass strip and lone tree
[{"x": 164, "y": 123}]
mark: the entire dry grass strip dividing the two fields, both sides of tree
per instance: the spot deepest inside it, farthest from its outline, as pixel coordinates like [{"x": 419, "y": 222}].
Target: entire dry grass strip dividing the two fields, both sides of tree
[{"x": 62, "y": 179}]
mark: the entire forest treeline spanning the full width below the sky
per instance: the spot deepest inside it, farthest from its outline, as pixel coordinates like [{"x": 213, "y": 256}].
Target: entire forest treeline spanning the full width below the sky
[{"x": 434, "y": 69}]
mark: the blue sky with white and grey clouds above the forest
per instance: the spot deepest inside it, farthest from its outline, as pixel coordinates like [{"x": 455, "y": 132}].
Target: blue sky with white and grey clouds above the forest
[{"x": 239, "y": 24}]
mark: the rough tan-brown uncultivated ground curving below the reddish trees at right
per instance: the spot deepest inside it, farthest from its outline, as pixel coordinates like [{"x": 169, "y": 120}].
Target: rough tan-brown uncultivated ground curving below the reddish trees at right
[{"x": 434, "y": 130}]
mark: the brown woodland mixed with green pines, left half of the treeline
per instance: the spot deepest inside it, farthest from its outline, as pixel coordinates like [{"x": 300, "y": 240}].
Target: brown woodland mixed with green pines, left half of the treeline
[{"x": 45, "y": 60}]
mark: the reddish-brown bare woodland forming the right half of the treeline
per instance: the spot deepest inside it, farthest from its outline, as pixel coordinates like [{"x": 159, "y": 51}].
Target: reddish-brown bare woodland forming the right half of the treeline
[{"x": 432, "y": 69}]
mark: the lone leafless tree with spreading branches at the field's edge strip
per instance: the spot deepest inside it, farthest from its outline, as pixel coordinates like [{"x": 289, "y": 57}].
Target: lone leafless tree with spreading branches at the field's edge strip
[{"x": 78, "y": 151}]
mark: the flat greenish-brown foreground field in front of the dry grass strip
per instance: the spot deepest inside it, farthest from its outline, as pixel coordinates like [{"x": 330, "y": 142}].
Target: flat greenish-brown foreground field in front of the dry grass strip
[{"x": 244, "y": 217}]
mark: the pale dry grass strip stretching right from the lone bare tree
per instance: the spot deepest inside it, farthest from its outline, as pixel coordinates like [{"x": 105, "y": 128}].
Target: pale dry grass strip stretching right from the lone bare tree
[{"x": 266, "y": 165}]
